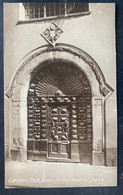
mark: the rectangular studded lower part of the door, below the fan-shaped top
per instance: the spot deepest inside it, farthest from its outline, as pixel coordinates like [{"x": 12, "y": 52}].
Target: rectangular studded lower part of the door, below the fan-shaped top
[{"x": 59, "y": 128}]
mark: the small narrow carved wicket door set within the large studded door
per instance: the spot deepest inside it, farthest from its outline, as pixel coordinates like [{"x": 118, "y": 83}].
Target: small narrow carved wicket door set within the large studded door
[{"x": 59, "y": 129}]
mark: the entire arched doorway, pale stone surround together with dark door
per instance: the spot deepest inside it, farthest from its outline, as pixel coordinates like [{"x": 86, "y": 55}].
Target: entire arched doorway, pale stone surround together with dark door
[{"x": 89, "y": 83}]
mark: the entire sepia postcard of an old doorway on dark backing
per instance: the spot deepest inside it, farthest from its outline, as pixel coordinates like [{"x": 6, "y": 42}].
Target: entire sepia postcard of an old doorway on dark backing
[{"x": 60, "y": 103}]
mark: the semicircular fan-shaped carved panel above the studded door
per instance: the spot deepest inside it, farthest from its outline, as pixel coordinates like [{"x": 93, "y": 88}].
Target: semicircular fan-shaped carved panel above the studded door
[{"x": 73, "y": 80}]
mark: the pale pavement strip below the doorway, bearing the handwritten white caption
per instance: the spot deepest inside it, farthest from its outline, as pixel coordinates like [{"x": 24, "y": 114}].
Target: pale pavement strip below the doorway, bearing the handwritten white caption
[{"x": 31, "y": 174}]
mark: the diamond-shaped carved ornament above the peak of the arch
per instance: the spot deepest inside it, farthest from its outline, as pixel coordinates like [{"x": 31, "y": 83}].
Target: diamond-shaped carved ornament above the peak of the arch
[{"x": 52, "y": 33}]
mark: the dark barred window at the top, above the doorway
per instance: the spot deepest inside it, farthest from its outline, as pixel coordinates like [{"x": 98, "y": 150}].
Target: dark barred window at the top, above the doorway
[{"x": 40, "y": 11}]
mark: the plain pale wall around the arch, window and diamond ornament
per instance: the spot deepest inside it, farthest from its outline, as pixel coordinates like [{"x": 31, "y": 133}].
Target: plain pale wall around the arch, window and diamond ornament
[{"x": 94, "y": 33}]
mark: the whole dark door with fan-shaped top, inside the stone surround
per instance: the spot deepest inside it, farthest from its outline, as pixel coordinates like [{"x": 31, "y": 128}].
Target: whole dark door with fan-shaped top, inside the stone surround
[{"x": 59, "y": 114}]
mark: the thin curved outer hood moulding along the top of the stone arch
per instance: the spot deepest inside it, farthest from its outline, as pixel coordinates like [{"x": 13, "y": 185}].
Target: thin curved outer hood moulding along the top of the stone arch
[{"x": 104, "y": 88}]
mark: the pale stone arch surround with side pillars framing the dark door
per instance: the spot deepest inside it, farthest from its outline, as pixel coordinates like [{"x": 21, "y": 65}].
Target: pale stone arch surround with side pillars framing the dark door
[{"x": 18, "y": 91}]
